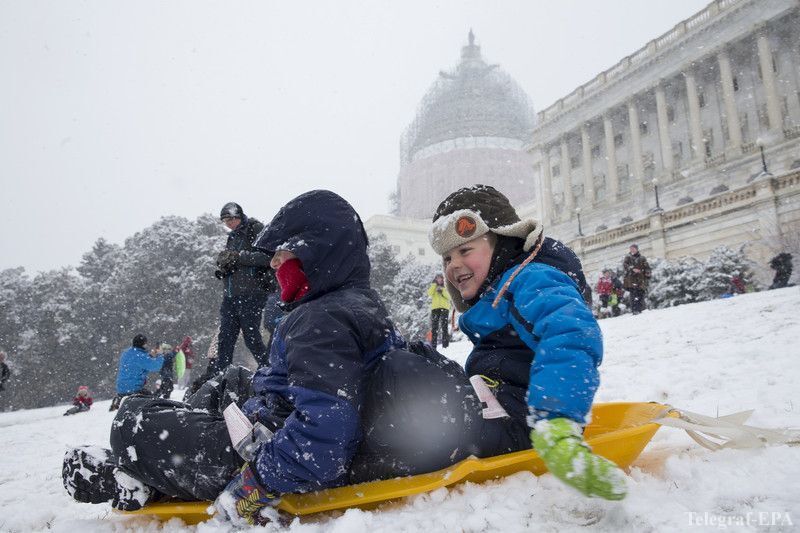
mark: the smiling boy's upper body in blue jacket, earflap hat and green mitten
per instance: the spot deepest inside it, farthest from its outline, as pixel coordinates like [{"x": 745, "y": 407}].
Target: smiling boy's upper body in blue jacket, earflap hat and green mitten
[{"x": 536, "y": 342}]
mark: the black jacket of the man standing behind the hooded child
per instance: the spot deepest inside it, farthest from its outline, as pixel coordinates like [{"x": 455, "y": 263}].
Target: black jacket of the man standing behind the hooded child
[{"x": 252, "y": 275}]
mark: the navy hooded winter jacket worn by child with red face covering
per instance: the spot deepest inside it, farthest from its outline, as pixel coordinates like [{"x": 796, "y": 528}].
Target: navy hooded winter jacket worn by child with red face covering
[{"x": 314, "y": 385}]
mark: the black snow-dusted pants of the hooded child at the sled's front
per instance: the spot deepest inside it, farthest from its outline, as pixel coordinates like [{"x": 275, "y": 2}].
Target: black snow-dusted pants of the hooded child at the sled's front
[{"x": 182, "y": 450}]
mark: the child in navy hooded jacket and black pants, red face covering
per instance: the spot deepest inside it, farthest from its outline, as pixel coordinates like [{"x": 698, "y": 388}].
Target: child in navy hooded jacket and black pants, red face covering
[{"x": 310, "y": 395}]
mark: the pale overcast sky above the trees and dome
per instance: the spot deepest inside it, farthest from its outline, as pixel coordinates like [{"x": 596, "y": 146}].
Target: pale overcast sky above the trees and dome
[{"x": 113, "y": 114}]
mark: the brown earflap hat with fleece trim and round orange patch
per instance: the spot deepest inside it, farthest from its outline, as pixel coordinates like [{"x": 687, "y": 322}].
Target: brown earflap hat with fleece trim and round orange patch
[{"x": 473, "y": 211}]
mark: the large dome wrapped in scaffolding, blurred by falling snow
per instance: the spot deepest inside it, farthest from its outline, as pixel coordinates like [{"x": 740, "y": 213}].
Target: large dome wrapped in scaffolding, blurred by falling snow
[{"x": 471, "y": 127}]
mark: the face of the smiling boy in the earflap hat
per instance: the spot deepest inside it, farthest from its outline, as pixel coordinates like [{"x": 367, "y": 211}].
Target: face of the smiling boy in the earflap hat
[{"x": 467, "y": 266}]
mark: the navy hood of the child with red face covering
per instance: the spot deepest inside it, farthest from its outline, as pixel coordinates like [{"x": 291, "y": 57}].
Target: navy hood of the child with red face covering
[{"x": 326, "y": 234}]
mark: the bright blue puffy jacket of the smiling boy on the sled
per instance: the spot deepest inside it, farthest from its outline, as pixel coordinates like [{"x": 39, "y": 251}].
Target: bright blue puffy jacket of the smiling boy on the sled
[{"x": 543, "y": 326}]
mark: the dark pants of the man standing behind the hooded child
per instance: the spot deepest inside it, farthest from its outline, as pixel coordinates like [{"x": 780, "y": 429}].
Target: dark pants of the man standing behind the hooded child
[{"x": 241, "y": 313}]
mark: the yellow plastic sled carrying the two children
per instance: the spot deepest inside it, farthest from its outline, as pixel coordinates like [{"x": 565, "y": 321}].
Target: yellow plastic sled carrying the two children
[{"x": 618, "y": 431}]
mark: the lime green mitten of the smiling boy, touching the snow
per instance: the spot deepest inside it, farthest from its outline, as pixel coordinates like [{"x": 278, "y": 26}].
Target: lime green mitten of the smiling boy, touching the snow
[{"x": 560, "y": 445}]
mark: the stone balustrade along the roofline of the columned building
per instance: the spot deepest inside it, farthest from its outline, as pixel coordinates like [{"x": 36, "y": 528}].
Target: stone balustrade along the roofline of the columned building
[{"x": 651, "y": 48}]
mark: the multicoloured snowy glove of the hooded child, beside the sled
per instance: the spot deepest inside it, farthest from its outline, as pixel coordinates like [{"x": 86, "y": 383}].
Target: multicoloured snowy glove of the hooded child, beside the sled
[{"x": 243, "y": 499}]
